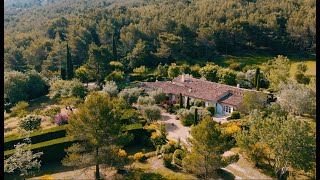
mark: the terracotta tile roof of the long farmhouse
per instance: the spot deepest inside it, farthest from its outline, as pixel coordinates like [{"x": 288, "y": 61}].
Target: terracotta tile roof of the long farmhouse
[{"x": 200, "y": 89}]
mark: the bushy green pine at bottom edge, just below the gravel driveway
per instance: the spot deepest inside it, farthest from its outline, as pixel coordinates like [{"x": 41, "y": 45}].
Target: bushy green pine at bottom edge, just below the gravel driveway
[{"x": 207, "y": 148}]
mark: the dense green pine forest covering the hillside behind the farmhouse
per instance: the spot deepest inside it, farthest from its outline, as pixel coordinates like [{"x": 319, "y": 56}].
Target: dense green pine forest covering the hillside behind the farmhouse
[{"x": 147, "y": 32}]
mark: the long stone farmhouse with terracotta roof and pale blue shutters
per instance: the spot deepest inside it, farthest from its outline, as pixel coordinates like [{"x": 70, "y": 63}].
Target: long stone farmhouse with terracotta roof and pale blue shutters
[{"x": 223, "y": 97}]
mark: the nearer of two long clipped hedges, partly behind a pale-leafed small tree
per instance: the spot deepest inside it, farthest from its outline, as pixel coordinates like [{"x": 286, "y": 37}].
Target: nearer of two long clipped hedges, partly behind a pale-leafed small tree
[{"x": 53, "y": 150}]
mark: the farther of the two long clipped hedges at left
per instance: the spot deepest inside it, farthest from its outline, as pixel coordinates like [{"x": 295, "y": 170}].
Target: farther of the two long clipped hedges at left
[{"x": 36, "y": 137}]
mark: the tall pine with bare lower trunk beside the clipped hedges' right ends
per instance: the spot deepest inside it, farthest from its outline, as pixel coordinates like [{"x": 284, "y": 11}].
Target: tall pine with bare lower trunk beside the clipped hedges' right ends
[{"x": 96, "y": 127}]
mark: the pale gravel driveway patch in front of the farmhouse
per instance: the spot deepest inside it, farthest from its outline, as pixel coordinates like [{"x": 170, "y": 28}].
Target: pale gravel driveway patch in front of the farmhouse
[{"x": 174, "y": 127}]
